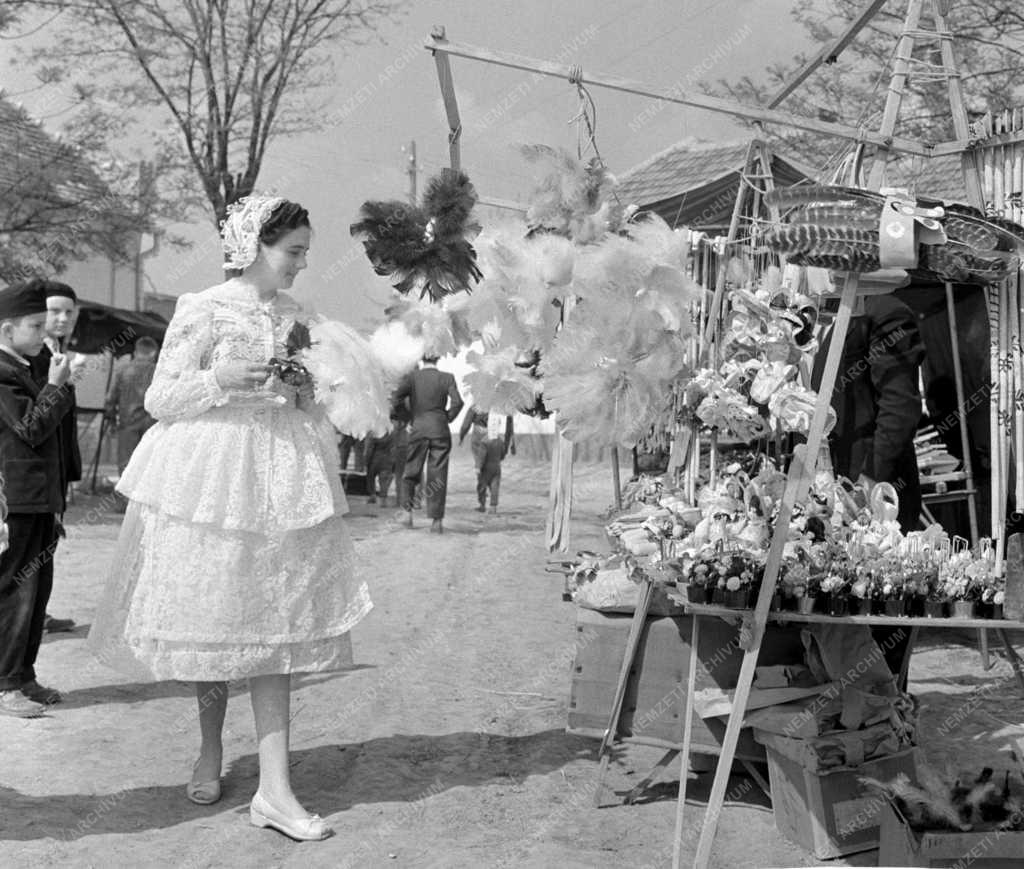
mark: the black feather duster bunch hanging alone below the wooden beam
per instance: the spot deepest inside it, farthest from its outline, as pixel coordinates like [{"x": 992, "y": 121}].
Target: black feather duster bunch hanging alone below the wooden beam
[{"x": 426, "y": 246}]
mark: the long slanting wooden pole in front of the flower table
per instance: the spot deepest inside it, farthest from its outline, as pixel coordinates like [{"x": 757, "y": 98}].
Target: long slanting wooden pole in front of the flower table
[{"x": 798, "y": 484}]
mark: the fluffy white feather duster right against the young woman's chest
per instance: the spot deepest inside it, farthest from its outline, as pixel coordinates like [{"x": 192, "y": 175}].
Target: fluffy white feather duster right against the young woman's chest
[{"x": 348, "y": 380}]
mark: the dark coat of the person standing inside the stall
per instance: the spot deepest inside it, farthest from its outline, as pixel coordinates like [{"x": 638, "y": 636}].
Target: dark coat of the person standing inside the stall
[{"x": 878, "y": 402}]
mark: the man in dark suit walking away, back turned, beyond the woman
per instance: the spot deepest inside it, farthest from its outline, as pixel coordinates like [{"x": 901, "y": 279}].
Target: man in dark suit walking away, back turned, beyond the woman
[{"x": 434, "y": 403}]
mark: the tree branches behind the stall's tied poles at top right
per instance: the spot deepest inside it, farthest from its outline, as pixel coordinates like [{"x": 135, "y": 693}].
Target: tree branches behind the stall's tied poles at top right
[{"x": 989, "y": 48}]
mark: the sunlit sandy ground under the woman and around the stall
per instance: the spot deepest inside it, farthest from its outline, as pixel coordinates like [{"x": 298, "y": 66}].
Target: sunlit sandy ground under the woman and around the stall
[{"x": 446, "y": 748}]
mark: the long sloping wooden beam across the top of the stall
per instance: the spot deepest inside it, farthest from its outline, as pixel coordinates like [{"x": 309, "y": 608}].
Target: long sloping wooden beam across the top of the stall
[{"x": 698, "y": 101}]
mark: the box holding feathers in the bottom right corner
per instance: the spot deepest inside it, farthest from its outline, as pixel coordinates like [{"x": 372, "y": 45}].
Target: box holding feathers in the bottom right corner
[{"x": 901, "y": 846}]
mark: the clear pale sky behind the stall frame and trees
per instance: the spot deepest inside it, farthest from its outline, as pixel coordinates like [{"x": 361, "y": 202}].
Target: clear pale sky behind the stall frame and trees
[{"x": 388, "y": 96}]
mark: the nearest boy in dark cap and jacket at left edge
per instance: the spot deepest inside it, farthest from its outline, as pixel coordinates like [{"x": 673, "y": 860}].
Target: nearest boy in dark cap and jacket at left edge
[{"x": 32, "y": 464}]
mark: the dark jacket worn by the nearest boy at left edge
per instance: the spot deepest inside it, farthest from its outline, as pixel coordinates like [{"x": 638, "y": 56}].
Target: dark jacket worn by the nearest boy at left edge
[{"x": 30, "y": 443}]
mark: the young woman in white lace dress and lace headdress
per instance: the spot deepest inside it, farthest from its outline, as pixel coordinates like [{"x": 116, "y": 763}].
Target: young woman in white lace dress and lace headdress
[{"x": 234, "y": 560}]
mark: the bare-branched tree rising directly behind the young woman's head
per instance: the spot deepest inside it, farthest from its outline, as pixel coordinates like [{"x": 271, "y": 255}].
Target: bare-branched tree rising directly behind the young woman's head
[{"x": 231, "y": 75}]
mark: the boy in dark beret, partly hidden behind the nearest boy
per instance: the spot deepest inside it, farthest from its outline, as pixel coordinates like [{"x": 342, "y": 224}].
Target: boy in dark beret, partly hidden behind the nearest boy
[{"x": 62, "y": 313}]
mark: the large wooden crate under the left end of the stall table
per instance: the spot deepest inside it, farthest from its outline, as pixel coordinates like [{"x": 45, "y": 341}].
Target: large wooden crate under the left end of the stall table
[{"x": 656, "y": 697}]
